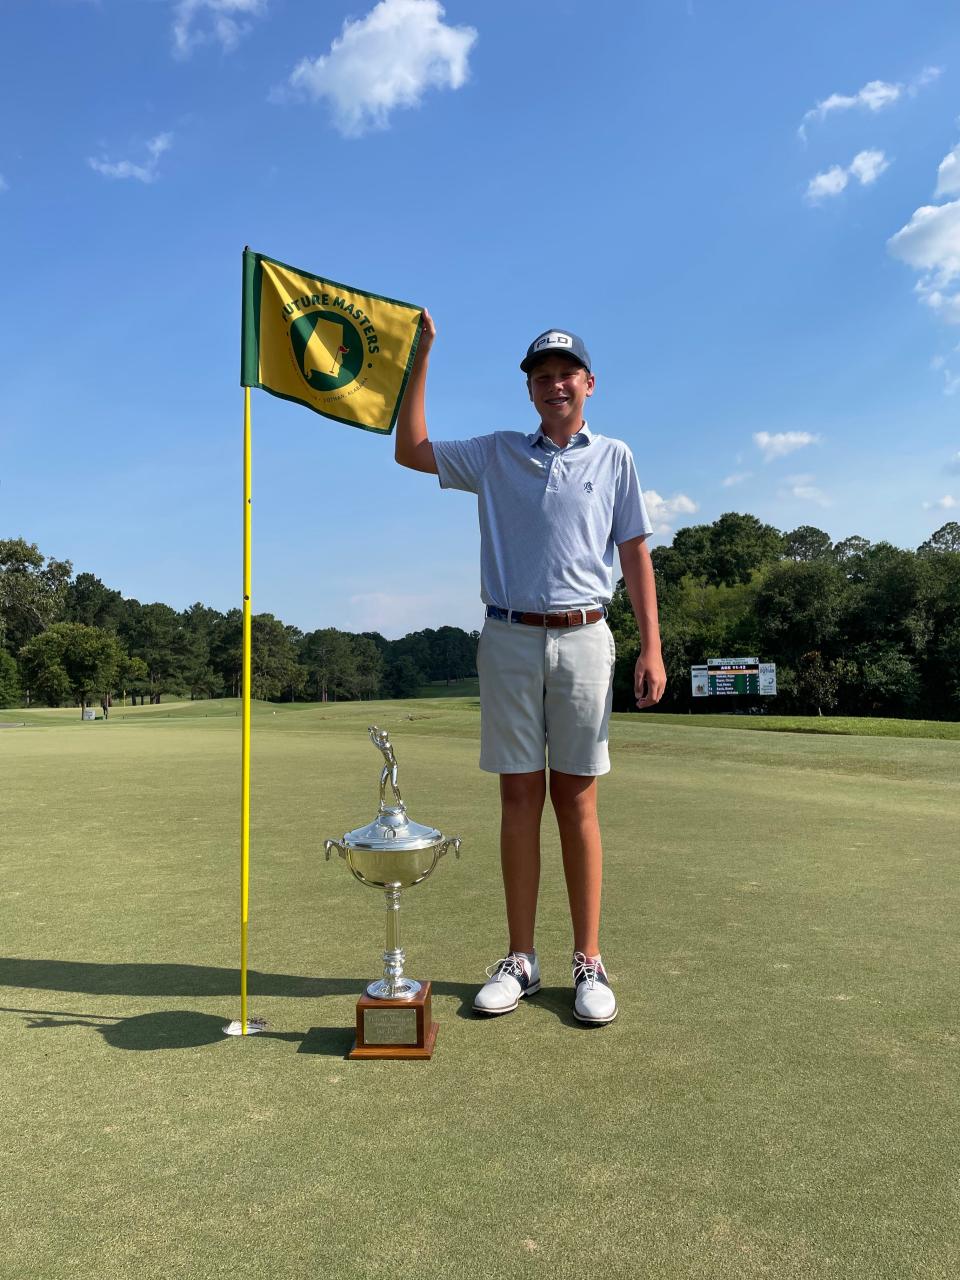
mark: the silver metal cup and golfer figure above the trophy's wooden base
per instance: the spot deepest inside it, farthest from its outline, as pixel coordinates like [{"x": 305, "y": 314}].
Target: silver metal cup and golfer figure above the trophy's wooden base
[{"x": 392, "y": 853}]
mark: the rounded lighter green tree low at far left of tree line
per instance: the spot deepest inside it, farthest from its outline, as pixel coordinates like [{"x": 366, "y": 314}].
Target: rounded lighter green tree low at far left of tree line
[{"x": 71, "y": 661}]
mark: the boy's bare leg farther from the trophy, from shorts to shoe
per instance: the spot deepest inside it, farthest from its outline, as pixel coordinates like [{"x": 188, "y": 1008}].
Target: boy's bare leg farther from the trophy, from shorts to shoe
[{"x": 574, "y": 801}]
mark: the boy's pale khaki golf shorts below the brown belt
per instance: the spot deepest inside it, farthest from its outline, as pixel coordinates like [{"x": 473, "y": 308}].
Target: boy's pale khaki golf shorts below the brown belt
[{"x": 546, "y": 697}]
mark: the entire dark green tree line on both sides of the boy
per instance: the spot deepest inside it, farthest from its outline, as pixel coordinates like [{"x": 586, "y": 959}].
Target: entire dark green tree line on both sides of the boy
[{"x": 854, "y": 628}]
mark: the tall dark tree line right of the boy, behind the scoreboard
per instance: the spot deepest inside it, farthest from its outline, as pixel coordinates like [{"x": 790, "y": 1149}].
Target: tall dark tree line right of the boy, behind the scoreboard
[{"x": 856, "y": 628}]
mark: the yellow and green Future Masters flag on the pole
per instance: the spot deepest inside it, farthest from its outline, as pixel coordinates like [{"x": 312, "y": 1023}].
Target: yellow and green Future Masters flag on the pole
[{"x": 340, "y": 351}]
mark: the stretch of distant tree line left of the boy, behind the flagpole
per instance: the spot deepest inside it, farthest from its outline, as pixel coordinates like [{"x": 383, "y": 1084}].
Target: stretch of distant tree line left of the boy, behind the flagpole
[{"x": 70, "y": 639}]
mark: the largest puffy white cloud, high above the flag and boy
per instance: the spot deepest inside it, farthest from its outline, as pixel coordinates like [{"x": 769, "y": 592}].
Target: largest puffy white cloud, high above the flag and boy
[{"x": 386, "y": 62}]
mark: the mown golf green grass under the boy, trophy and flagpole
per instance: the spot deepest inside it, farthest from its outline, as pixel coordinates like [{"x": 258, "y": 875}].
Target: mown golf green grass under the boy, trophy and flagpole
[{"x": 779, "y": 1096}]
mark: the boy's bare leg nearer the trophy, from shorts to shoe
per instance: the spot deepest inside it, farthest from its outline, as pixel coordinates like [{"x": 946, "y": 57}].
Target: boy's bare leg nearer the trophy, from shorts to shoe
[{"x": 523, "y": 798}]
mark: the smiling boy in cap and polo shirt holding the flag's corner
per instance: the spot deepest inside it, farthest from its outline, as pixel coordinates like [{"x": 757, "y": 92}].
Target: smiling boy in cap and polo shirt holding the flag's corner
[{"x": 552, "y": 506}]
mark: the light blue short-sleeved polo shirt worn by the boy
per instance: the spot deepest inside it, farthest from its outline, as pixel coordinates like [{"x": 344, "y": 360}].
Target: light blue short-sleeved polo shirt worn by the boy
[{"x": 550, "y": 516}]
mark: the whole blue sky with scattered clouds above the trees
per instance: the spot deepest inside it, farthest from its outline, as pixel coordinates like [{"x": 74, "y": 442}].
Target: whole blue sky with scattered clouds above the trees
[{"x": 751, "y": 213}]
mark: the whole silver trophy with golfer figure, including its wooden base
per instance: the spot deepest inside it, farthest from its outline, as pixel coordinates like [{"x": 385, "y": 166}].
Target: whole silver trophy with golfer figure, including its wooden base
[{"x": 392, "y": 853}]
